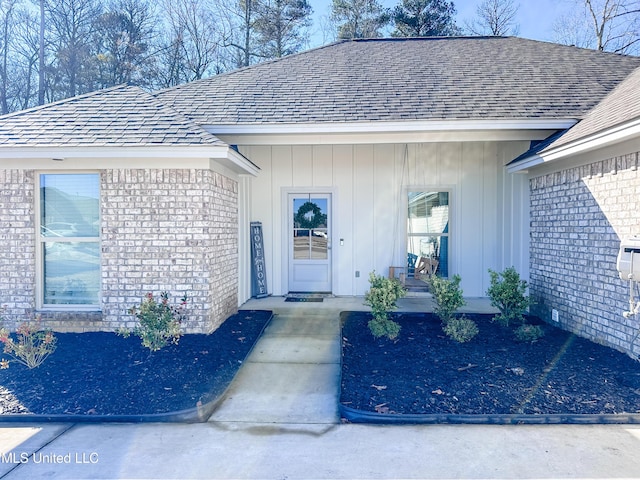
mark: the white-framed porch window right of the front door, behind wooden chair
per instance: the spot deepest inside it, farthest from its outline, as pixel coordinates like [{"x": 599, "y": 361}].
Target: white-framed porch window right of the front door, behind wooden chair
[{"x": 428, "y": 221}]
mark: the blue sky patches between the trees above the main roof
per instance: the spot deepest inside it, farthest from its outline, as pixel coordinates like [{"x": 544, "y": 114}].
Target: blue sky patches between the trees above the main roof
[{"x": 535, "y": 17}]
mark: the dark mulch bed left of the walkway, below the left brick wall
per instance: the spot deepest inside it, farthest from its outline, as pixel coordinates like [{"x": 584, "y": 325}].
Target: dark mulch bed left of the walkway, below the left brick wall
[{"x": 105, "y": 374}]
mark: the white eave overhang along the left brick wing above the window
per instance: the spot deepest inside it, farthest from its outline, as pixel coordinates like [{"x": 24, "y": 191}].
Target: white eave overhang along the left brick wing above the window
[{"x": 144, "y": 156}]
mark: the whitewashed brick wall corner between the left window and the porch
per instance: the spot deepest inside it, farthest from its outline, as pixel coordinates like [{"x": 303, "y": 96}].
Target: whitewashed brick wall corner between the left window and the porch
[{"x": 174, "y": 231}]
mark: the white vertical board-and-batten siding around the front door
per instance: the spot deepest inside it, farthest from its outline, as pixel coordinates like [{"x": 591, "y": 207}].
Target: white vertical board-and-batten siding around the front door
[{"x": 369, "y": 185}]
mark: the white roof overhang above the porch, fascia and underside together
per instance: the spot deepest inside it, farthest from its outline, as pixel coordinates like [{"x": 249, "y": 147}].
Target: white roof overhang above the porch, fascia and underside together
[{"x": 385, "y": 132}]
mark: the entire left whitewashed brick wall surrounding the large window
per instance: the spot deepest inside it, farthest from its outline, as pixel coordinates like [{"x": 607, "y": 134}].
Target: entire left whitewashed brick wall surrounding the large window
[{"x": 162, "y": 230}]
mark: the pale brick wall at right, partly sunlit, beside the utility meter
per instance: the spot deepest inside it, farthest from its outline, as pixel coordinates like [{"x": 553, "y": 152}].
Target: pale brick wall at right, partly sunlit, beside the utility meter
[{"x": 578, "y": 217}]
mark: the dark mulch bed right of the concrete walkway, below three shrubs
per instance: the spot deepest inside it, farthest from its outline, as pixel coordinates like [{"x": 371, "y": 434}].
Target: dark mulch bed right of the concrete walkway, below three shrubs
[{"x": 425, "y": 372}]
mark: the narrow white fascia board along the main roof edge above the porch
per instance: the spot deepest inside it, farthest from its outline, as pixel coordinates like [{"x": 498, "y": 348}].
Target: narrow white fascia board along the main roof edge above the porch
[{"x": 390, "y": 127}]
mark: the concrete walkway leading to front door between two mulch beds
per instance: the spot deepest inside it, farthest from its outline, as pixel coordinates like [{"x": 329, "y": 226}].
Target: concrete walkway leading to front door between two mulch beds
[{"x": 292, "y": 374}]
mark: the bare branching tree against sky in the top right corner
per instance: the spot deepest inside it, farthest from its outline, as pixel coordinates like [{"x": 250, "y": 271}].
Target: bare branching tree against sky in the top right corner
[{"x": 606, "y": 25}]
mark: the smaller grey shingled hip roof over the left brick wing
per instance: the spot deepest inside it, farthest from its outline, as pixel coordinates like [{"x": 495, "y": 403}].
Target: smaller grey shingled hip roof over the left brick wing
[{"x": 119, "y": 116}]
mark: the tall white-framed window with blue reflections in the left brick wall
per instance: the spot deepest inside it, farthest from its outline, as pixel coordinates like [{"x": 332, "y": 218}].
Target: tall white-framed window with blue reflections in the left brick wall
[{"x": 69, "y": 240}]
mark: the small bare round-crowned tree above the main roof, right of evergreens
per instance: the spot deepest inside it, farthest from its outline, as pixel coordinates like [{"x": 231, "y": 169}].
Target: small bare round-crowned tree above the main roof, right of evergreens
[{"x": 495, "y": 17}]
